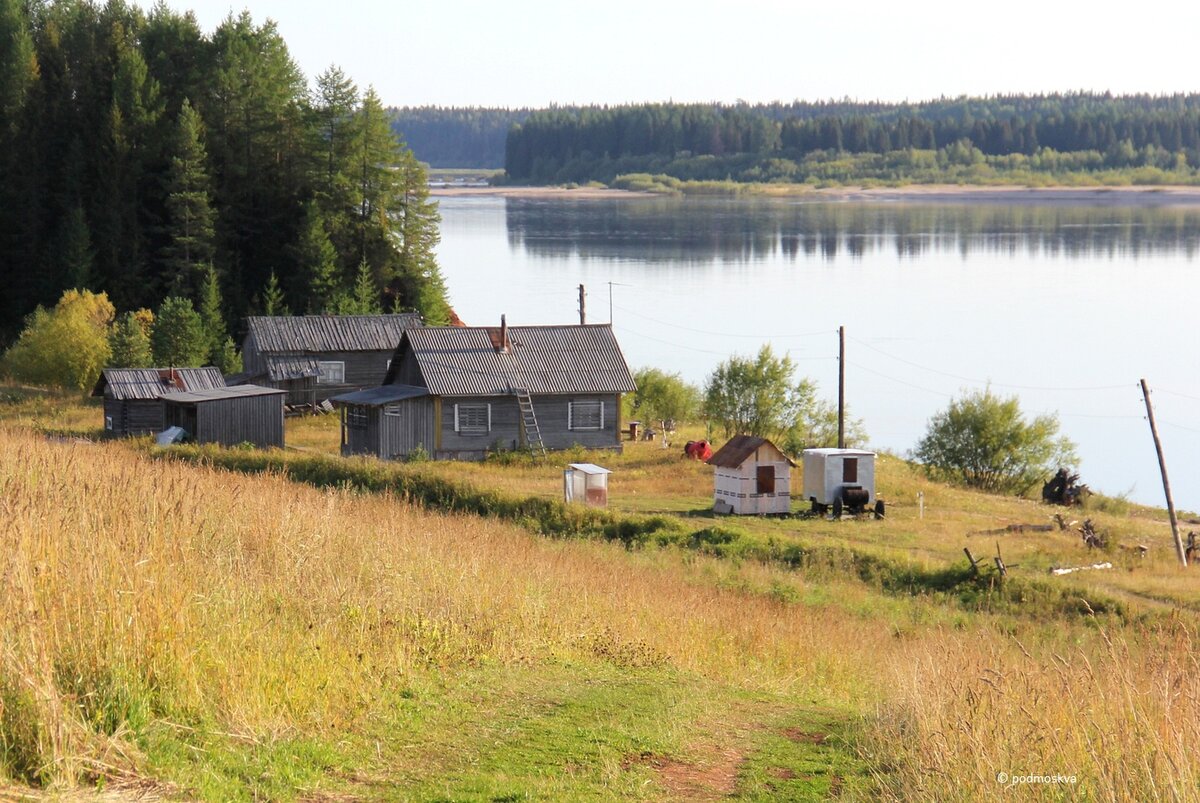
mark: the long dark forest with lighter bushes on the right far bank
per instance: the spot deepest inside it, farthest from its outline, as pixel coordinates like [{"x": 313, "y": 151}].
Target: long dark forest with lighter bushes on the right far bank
[{"x": 1075, "y": 139}]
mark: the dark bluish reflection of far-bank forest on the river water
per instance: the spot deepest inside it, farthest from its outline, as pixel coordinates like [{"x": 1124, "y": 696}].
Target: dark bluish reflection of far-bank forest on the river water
[{"x": 704, "y": 231}]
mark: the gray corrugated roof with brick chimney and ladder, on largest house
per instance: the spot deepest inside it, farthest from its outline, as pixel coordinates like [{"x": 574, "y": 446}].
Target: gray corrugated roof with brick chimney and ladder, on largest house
[{"x": 467, "y": 362}]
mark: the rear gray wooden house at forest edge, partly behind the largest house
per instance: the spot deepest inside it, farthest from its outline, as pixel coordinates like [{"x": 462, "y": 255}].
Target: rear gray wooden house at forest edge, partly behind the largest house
[{"x": 317, "y": 357}]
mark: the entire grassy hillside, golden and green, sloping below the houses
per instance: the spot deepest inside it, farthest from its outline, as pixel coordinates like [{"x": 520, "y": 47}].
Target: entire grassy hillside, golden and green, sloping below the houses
[{"x": 181, "y": 630}]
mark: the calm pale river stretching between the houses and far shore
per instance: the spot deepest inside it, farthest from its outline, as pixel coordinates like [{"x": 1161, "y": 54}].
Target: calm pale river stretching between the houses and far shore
[{"x": 1065, "y": 307}]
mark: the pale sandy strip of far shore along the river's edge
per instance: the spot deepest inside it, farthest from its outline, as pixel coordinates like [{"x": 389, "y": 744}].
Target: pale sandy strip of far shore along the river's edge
[{"x": 926, "y": 194}]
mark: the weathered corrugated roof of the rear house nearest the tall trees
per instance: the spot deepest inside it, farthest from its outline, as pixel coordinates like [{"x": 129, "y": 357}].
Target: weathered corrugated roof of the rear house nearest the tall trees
[{"x": 320, "y": 333}]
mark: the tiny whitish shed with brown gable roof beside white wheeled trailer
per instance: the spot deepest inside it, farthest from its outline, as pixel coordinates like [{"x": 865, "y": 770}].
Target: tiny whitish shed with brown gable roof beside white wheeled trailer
[{"x": 752, "y": 477}]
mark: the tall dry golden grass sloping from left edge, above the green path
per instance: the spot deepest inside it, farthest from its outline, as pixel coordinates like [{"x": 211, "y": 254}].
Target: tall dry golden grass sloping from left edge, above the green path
[{"x": 141, "y": 591}]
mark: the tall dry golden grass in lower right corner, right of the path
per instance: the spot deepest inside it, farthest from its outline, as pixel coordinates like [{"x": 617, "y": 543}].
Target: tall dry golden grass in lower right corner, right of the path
[{"x": 1097, "y": 716}]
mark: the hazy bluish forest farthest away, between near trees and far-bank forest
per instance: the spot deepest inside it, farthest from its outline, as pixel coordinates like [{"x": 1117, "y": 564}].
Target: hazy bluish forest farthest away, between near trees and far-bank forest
[{"x": 457, "y": 137}]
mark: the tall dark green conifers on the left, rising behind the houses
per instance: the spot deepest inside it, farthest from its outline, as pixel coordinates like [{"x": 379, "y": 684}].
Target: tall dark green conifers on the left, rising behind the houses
[{"x": 146, "y": 160}]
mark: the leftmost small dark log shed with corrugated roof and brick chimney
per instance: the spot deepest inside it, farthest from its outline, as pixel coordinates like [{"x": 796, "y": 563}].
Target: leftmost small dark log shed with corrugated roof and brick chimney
[{"x": 134, "y": 397}]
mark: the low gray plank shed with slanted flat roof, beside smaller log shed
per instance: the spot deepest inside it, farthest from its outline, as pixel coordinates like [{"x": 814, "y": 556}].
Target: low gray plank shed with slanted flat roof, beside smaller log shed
[{"x": 229, "y": 416}]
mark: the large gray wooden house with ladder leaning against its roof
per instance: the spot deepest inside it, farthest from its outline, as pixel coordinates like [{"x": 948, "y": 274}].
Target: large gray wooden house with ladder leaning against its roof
[{"x": 461, "y": 392}]
